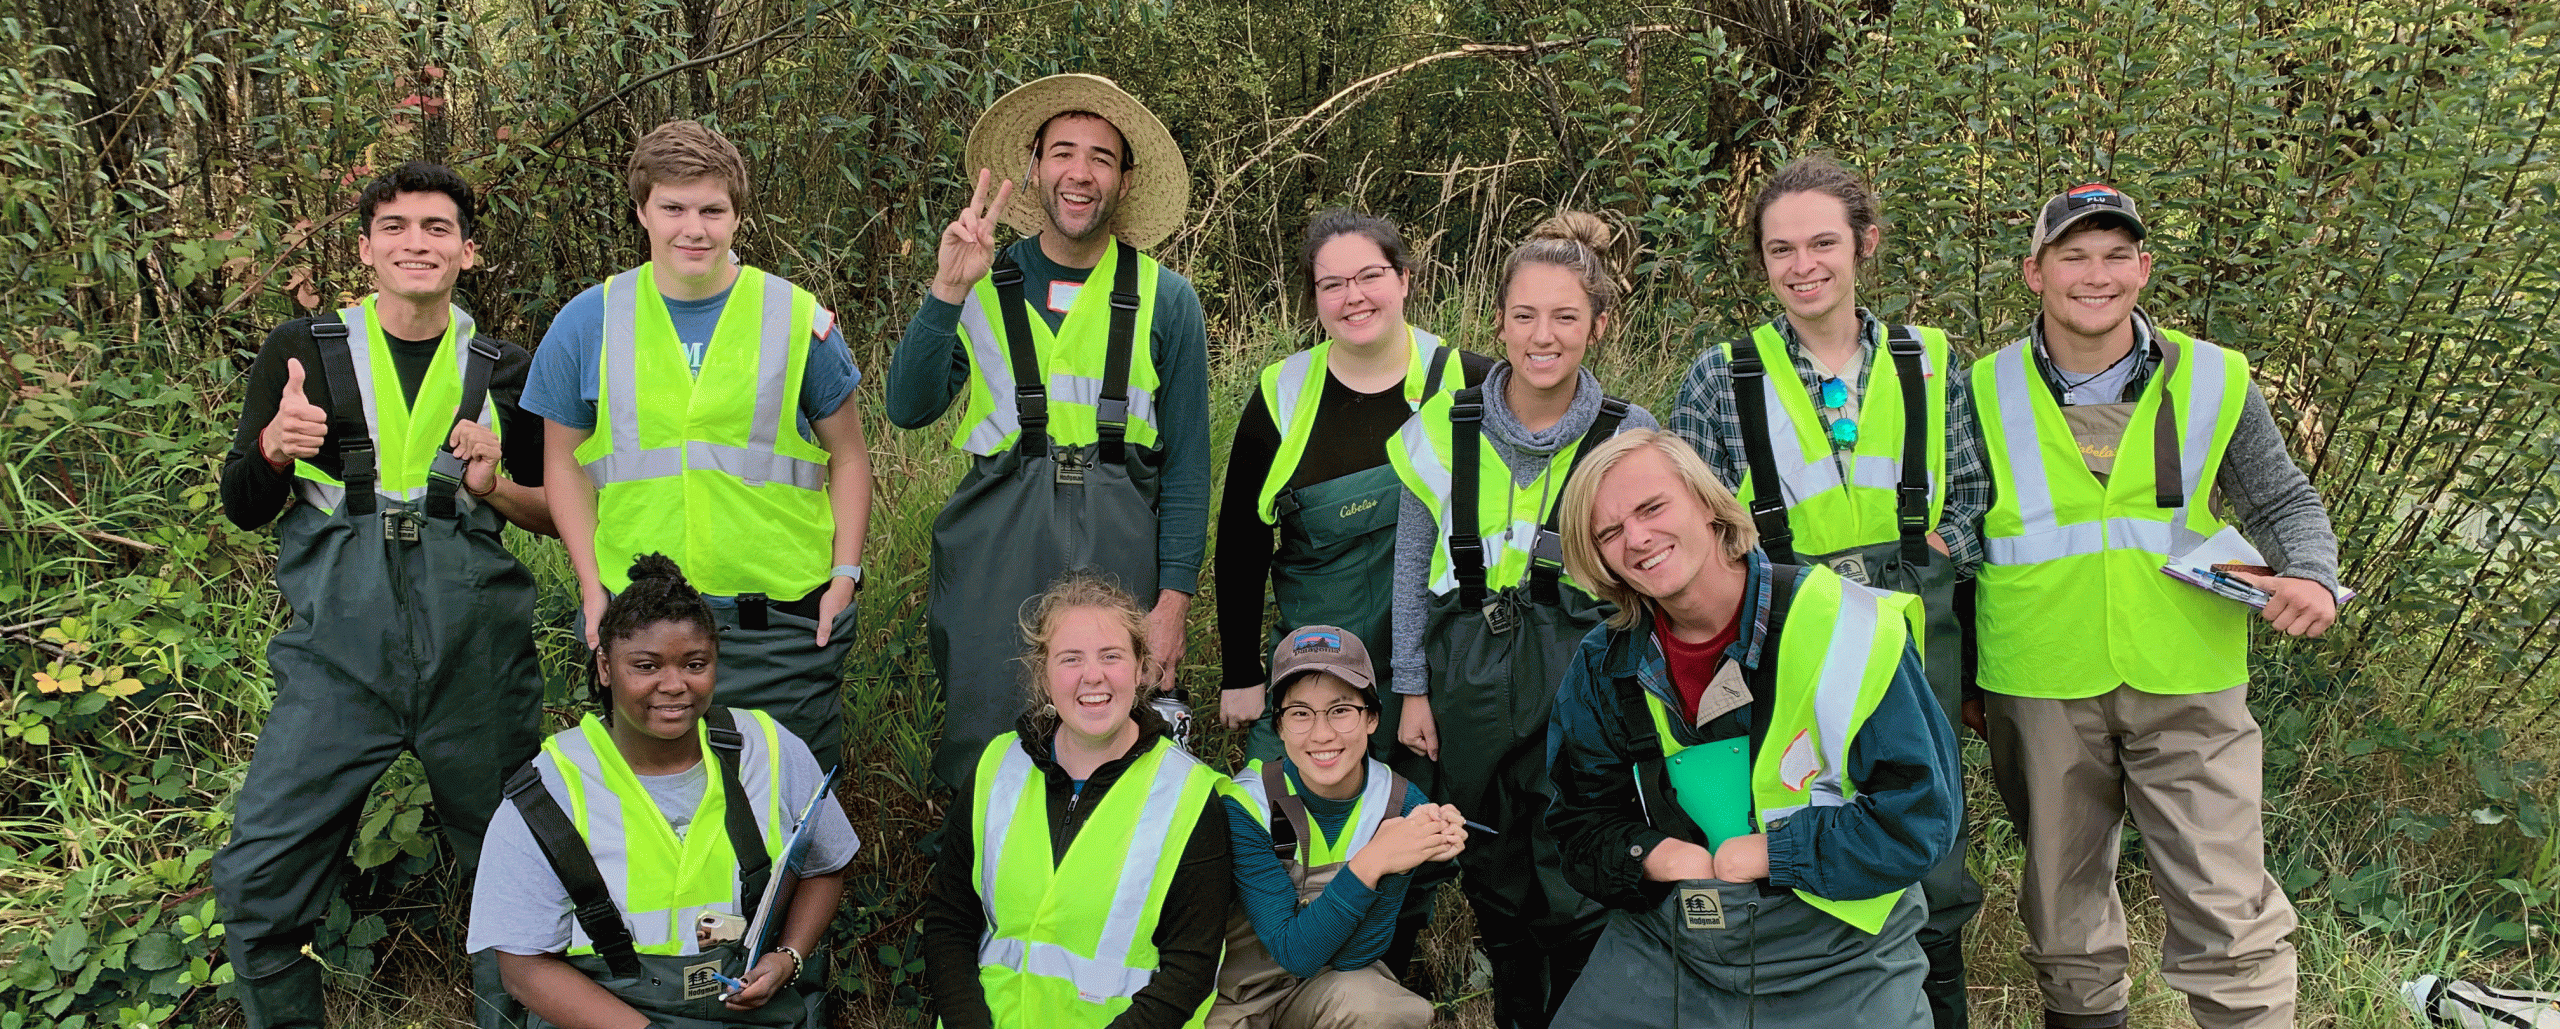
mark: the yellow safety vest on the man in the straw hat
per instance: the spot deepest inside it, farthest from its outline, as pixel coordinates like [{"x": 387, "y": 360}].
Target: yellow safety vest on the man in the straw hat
[{"x": 1071, "y": 360}]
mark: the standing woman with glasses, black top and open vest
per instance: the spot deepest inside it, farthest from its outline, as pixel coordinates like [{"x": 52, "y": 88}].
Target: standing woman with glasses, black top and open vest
[{"x": 1312, "y": 462}]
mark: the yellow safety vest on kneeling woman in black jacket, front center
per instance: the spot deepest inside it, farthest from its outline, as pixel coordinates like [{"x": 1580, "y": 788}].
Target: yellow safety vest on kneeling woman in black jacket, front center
[{"x": 1071, "y": 941}]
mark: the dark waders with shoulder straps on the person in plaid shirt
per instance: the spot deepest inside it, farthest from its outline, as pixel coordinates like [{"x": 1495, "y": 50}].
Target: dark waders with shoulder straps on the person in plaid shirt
[{"x": 1911, "y": 567}]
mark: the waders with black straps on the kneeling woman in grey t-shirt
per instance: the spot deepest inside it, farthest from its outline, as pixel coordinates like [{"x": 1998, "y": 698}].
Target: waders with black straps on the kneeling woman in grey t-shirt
[{"x": 675, "y": 992}]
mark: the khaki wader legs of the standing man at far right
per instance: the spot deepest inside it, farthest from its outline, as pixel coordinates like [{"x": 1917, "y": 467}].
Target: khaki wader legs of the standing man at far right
[{"x": 2190, "y": 774}]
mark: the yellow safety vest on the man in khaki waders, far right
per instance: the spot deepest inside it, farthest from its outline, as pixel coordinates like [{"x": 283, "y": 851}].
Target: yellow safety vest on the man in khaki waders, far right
[{"x": 2072, "y": 590}]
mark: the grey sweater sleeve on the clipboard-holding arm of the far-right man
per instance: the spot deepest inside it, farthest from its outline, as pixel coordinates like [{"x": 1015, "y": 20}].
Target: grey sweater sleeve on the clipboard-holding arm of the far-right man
[{"x": 2275, "y": 503}]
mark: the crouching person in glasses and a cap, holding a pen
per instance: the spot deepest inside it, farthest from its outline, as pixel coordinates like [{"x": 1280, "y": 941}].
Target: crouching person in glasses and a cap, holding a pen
[{"x": 1325, "y": 846}]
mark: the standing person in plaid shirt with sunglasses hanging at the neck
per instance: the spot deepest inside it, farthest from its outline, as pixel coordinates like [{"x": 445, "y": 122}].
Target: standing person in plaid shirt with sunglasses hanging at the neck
[{"x": 1852, "y": 444}]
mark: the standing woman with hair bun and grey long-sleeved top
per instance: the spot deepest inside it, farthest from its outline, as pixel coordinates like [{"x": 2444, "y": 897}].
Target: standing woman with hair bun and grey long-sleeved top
[{"x": 1486, "y": 618}]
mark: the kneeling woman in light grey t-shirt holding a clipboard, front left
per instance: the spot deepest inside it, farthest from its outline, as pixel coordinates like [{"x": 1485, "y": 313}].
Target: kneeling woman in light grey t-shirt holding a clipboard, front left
[{"x": 644, "y": 808}]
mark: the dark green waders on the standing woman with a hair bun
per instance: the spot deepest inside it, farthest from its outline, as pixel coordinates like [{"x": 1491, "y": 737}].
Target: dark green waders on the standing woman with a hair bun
[{"x": 1496, "y": 659}]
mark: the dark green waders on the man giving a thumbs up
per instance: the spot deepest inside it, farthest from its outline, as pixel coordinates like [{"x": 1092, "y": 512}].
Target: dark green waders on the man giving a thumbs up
[{"x": 411, "y": 631}]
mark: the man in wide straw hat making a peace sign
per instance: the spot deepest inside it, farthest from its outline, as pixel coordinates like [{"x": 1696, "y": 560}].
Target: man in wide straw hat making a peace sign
[{"x": 1084, "y": 370}]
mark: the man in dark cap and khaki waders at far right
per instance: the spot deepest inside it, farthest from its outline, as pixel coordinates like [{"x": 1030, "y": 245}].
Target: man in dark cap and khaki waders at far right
[{"x": 2111, "y": 687}]
